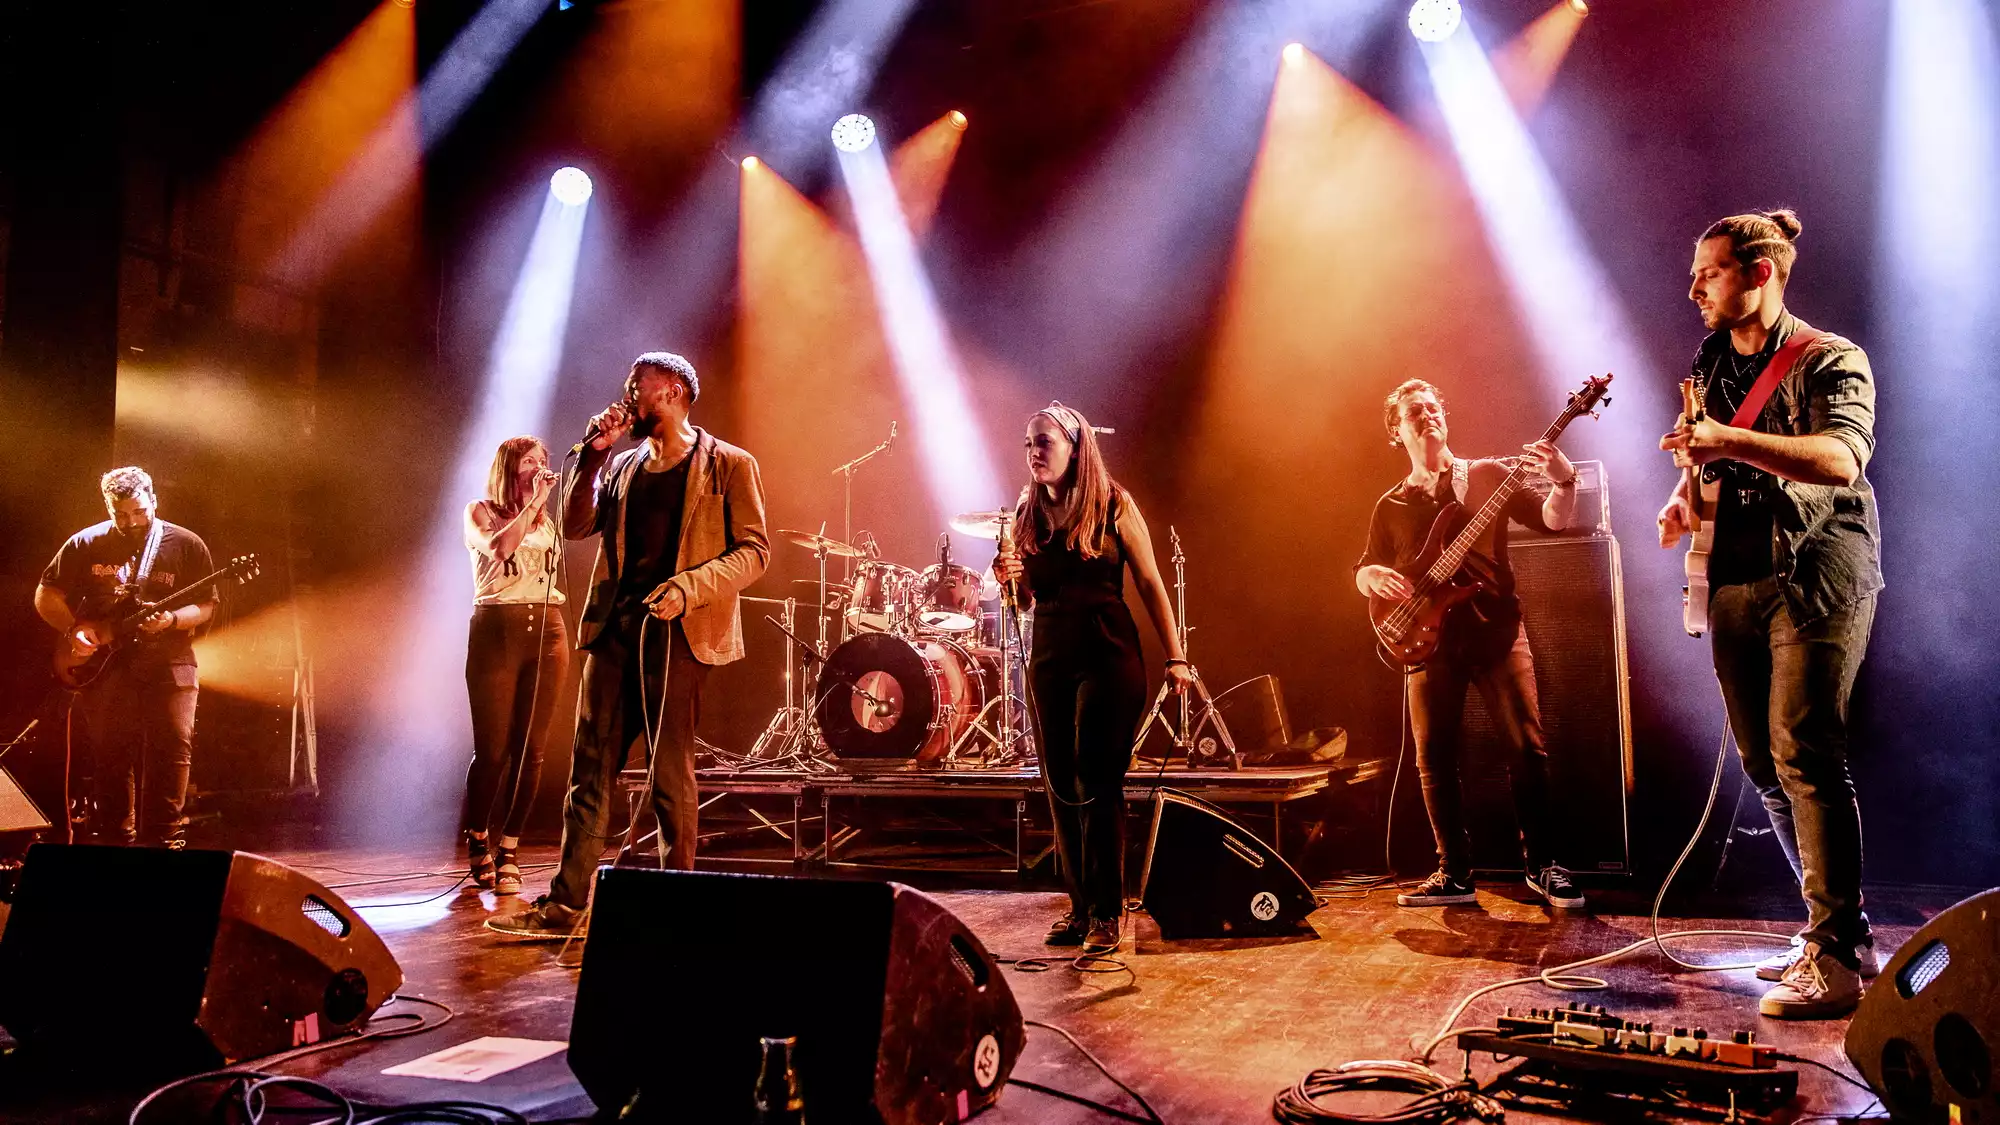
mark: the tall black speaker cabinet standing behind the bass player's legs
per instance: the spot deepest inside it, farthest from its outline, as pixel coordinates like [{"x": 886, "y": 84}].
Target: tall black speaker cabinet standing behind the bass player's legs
[{"x": 1573, "y": 600}]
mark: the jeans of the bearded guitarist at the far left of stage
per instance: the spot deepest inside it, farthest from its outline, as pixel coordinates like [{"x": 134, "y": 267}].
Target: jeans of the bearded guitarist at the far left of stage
[{"x": 137, "y": 732}]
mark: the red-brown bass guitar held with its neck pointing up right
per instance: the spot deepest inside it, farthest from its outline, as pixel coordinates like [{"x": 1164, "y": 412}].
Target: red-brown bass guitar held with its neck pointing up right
[{"x": 1409, "y": 630}]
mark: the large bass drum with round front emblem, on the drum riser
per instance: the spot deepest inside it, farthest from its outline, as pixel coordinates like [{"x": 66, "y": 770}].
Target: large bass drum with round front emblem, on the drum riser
[{"x": 895, "y": 698}]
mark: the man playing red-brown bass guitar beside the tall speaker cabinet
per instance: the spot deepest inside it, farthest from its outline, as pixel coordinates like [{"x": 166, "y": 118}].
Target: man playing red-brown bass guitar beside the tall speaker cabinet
[{"x": 1483, "y": 640}]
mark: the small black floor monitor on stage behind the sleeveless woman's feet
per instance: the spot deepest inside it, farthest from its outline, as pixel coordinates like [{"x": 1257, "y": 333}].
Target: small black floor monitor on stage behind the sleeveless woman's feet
[{"x": 1207, "y": 876}]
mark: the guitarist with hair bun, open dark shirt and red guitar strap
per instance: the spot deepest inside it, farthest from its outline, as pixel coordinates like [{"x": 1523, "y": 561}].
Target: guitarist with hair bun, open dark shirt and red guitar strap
[{"x": 1793, "y": 580}]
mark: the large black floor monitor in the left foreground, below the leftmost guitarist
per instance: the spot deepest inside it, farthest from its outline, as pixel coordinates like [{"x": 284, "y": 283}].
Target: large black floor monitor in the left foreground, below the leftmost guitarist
[{"x": 173, "y": 960}]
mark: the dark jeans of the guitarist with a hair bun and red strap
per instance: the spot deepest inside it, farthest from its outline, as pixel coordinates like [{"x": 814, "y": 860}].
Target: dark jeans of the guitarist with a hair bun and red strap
[{"x": 1787, "y": 692}]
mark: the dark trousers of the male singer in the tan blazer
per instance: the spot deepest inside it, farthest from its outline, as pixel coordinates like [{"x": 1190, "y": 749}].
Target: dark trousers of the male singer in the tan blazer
[{"x": 609, "y": 720}]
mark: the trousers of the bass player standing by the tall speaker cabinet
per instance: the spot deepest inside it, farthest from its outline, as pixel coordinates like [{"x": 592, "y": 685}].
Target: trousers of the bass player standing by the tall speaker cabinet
[{"x": 1437, "y": 726}]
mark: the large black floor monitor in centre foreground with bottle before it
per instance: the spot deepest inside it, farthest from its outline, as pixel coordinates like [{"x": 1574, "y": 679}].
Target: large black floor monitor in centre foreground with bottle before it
[{"x": 899, "y": 1014}]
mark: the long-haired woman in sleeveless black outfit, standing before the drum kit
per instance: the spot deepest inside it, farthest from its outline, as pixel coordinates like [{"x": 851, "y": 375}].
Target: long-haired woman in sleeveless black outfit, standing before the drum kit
[{"x": 1073, "y": 539}]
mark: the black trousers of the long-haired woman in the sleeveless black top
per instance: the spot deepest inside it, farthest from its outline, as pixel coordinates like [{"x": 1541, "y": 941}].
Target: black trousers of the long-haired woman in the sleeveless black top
[{"x": 1089, "y": 696}]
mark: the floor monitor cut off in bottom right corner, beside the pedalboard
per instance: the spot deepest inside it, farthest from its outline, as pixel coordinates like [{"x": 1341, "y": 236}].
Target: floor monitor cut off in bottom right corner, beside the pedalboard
[{"x": 1929, "y": 1026}]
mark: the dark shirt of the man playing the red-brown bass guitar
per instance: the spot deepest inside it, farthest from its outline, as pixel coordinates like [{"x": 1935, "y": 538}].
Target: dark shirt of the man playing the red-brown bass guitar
[{"x": 1483, "y": 626}]
